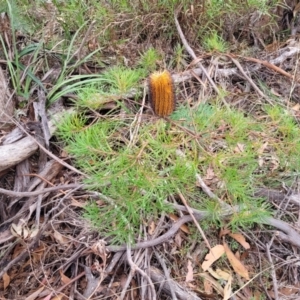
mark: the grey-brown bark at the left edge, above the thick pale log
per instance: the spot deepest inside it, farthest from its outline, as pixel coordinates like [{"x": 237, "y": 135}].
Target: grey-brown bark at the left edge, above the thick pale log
[{"x": 6, "y": 103}]
